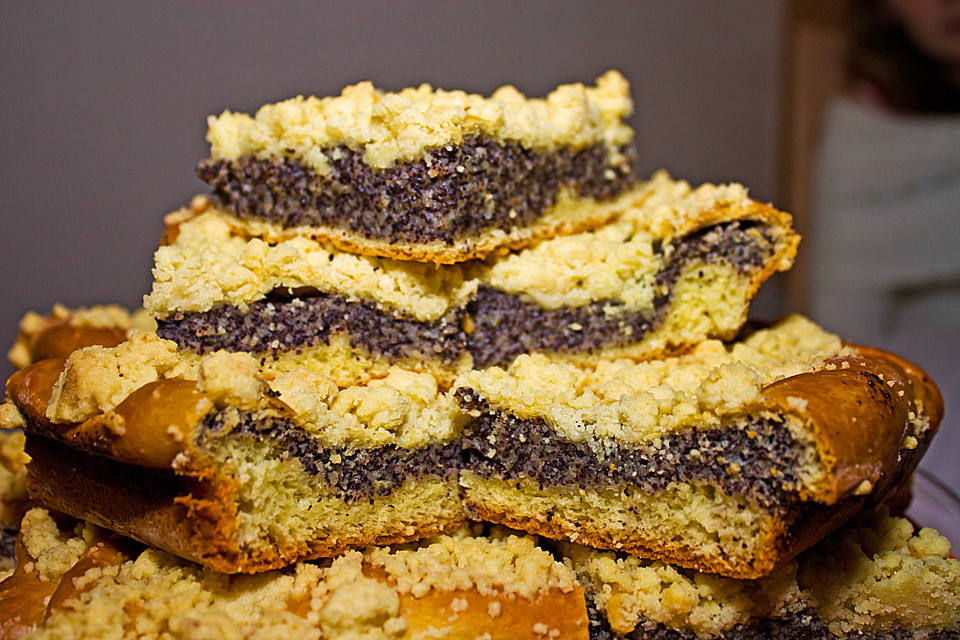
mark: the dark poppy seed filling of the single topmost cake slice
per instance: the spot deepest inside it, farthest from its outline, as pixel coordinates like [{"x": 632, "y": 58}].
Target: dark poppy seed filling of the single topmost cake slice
[{"x": 453, "y": 192}]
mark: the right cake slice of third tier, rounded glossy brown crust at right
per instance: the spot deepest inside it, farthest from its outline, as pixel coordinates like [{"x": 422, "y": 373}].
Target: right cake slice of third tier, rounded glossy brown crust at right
[{"x": 730, "y": 459}]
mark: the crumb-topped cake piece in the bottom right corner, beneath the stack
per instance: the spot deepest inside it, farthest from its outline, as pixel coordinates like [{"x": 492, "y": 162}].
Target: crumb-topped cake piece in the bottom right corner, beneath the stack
[{"x": 875, "y": 578}]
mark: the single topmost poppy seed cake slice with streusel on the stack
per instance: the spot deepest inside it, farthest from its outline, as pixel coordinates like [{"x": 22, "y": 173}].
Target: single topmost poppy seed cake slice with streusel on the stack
[{"x": 424, "y": 174}]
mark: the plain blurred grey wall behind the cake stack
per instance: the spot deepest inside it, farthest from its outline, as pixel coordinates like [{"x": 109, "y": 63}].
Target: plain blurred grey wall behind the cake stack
[{"x": 103, "y": 104}]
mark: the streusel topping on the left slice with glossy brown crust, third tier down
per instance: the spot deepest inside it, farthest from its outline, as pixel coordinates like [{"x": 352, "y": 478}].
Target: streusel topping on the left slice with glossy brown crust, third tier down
[{"x": 402, "y": 408}]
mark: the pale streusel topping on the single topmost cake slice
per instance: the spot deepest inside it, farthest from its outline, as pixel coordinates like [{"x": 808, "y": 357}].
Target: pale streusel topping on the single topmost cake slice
[{"x": 394, "y": 127}]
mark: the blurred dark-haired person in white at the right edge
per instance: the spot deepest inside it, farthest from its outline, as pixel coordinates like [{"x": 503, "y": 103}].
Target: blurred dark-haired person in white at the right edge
[{"x": 885, "y": 248}]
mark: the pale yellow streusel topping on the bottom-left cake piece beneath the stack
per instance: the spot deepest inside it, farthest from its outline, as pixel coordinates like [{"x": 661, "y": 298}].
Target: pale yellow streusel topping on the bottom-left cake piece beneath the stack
[{"x": 163, "y": 597}]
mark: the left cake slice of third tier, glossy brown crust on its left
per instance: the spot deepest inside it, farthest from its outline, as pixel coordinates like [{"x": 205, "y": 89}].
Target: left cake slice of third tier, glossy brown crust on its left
[{"x": 222, "y": 466}]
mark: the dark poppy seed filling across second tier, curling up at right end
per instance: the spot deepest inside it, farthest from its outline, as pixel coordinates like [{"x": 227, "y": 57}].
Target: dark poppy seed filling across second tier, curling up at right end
[{"x": 504, "y": 325}]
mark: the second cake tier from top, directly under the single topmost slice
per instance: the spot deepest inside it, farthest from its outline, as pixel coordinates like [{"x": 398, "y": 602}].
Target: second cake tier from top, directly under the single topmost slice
[{"x": 677, "y": 266}]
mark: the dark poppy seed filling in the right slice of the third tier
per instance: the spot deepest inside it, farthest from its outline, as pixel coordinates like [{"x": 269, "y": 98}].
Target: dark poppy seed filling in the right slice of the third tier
[{"x": 756, "y": 458}]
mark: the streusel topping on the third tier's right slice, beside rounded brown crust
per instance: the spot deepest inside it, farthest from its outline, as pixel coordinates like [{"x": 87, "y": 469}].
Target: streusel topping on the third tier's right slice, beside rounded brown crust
[{"x": 634, "y": 402}]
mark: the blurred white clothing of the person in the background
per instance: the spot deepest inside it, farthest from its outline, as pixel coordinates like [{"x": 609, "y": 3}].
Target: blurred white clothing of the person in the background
[{"x": 885, "y": 248}]
